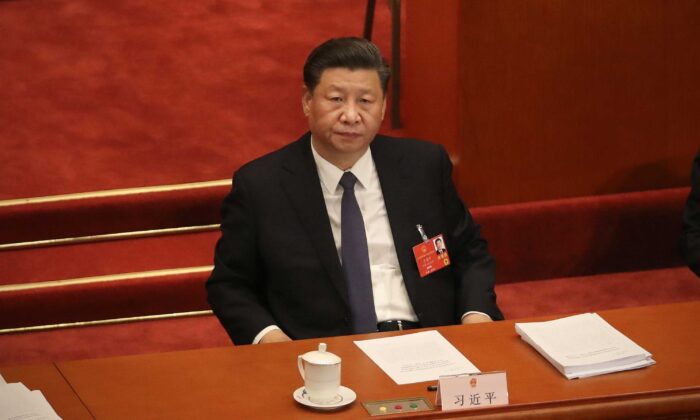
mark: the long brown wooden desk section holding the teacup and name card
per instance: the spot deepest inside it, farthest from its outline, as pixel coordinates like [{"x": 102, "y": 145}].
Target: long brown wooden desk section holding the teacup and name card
[{"x": 258, "y": 381}]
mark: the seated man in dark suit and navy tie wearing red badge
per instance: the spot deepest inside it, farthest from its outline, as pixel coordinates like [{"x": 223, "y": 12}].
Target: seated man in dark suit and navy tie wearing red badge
[{"x": 290, "y": 263}]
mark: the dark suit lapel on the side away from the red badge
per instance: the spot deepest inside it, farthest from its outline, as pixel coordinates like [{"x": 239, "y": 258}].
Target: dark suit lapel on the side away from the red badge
[{"x": 303, "y": 188}]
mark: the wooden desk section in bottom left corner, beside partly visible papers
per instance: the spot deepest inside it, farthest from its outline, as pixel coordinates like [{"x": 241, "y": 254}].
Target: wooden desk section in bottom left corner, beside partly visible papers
[{"x": 50, "y": 382}]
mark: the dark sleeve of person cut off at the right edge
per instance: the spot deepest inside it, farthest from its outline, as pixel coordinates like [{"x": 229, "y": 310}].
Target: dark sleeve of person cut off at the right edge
[{"x": 690, "y": 243}]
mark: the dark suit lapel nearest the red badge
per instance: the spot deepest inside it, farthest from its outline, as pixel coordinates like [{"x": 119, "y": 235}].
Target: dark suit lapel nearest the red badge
[{"x": 396, "y": 179}]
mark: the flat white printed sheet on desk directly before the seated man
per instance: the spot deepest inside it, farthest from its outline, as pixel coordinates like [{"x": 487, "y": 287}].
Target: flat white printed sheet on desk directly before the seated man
[{"x": 418, "y": 357}]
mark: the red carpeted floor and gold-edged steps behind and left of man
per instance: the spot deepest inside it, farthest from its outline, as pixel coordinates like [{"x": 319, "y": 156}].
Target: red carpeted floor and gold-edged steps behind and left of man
[{"x": 143, "y": 103}]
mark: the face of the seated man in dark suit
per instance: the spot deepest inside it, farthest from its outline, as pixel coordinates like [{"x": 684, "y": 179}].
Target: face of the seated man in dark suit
[{"x": 345, "y": 111}]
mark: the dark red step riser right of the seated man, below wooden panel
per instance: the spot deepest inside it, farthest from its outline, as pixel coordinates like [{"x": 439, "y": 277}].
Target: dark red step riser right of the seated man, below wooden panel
[{"x": 585, "y": 235}]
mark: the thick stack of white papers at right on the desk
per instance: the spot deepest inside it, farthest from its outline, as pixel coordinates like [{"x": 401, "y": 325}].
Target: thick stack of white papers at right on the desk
[{"x": 584, "y": 345}]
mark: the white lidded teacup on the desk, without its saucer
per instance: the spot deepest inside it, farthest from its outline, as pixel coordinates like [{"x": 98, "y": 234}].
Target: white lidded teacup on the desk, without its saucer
[{"x": 320, "y": 371}]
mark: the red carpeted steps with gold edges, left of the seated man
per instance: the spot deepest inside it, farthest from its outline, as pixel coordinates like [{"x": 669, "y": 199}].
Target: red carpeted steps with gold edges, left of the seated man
[{"x": 125, "y": 267}]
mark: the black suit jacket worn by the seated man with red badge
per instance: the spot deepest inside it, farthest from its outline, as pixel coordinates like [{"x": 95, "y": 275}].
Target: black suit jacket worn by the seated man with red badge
[{"x": 276, "y": 261}]
